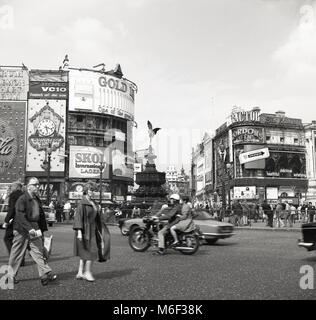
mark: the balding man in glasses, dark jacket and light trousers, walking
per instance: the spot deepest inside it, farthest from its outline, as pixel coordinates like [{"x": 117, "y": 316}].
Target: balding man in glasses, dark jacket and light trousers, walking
[{"x": 29, "y": 226}]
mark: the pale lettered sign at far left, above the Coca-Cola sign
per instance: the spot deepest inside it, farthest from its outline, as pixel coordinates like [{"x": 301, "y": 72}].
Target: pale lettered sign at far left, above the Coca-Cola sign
[{"x": 14, "y": 84}]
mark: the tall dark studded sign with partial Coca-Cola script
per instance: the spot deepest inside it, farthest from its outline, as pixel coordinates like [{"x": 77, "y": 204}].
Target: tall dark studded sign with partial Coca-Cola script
[{"x": 12, "y": 141}]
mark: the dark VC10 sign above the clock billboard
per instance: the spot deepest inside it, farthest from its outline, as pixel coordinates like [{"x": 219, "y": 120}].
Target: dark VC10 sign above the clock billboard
[{"x": 48, "y": 90}]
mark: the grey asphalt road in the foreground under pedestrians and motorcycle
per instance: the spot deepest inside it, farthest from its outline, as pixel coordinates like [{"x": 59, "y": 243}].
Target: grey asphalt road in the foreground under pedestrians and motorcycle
[{"x": 251, "y": 265}]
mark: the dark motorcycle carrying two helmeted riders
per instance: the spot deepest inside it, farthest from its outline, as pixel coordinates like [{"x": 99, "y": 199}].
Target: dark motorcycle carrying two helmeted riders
[{"x": 141, "y": 238}]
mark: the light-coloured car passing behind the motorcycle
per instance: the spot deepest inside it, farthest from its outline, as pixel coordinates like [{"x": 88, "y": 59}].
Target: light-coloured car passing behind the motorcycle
[{"x": 210, "y": 229}]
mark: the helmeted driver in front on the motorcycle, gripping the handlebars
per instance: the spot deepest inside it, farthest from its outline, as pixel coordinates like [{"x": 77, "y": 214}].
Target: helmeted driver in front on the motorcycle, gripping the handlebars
[{"x": 169, "y": 214}]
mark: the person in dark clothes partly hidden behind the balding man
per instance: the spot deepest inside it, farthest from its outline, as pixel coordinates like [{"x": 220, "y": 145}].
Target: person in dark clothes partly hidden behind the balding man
[{"x": 16, "y": 192}]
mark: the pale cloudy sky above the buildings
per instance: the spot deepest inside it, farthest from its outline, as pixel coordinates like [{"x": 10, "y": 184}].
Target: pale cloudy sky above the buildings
[{"x": 192, "y": 61}]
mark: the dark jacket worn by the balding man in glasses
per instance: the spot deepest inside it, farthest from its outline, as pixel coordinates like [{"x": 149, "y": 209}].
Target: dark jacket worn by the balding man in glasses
[{"x": 23, "y": 214}]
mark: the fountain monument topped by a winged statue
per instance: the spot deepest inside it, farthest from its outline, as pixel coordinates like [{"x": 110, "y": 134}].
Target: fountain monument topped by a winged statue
[{"x": 150, "y": 180}]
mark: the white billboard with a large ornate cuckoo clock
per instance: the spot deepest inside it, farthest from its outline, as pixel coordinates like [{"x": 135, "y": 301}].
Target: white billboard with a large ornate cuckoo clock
[{"x": 46, "y": 132}]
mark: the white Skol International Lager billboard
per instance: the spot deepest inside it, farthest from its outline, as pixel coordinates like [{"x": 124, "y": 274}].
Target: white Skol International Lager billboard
[{"x": 84, "y": 162}]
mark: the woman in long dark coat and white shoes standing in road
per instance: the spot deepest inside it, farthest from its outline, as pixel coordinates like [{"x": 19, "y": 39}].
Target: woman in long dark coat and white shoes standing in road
[{"x": 92, "y": 238}]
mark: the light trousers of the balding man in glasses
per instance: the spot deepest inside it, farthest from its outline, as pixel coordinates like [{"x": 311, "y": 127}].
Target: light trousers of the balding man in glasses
[{"x": 20, "y": 244}]
